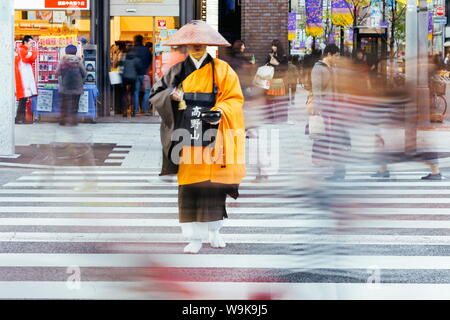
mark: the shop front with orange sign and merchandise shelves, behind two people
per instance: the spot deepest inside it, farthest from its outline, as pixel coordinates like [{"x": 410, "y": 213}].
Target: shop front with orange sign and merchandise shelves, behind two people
[{"x": 54, "y": 25}]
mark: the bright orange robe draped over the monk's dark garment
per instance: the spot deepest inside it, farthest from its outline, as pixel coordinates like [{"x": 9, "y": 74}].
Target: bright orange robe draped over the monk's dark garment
[{"x": 225, "y": 162}]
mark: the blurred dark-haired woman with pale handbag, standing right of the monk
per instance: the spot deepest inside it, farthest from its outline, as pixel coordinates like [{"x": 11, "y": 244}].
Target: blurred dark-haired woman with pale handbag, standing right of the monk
[{"x": 277, "y": 98}]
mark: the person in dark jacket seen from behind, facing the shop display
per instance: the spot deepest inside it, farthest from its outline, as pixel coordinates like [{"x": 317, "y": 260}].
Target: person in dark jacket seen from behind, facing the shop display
[{"x": 71, "y": 74}]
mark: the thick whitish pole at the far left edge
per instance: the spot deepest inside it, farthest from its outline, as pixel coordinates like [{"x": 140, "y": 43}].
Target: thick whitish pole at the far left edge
[{"x": 7, "y": 94}]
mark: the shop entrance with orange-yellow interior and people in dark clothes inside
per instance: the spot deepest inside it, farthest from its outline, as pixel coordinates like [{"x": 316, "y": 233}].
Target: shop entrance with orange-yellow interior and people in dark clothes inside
[{"x": 154, "y": 31}]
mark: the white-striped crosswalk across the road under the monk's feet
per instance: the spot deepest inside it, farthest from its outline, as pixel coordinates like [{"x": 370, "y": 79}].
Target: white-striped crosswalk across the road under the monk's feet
[{"x": 113, "y": 233}]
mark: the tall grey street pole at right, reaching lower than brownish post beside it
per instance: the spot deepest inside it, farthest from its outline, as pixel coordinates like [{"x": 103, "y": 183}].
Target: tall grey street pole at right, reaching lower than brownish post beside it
[{"x": 411, "y": 76}]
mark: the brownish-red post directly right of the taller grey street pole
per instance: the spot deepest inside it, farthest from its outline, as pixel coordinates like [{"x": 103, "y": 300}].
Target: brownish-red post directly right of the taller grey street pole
[{"x": 423, "y": 91}]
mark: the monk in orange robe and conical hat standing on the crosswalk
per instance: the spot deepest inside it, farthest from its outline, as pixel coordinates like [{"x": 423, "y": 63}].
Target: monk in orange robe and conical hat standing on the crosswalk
[{"x": 202, "y": 134}]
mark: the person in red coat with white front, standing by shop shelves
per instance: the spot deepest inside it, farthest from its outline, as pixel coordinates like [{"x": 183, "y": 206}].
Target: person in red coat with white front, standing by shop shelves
[{"x": 25, "y": 81}]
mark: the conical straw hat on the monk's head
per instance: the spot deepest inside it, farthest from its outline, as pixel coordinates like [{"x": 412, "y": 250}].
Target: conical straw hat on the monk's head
[{"x": 197, "y": 32}]
